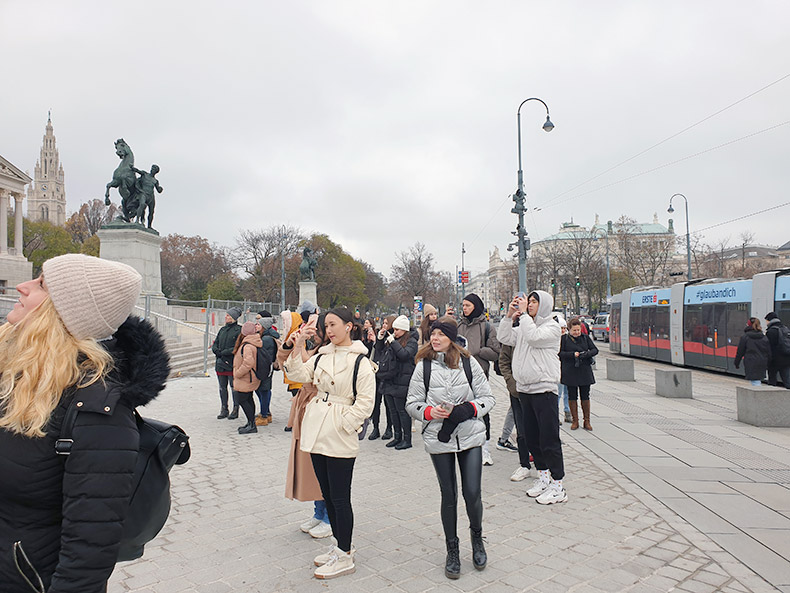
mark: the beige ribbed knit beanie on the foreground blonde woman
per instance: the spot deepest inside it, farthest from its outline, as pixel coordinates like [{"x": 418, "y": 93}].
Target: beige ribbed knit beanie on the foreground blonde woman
[{"x": 92, "y": 296}]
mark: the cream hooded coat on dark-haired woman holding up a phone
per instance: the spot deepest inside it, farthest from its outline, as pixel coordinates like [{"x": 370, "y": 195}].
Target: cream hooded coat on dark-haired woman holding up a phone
[{"x": 332, "y": 418}]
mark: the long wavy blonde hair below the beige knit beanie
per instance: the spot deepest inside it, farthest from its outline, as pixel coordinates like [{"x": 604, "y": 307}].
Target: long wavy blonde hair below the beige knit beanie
[{"x": 39, "y": 360}]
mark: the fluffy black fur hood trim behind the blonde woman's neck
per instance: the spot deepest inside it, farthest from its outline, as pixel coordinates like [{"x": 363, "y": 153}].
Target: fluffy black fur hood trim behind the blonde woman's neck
[{"x": 142, "y": 363}]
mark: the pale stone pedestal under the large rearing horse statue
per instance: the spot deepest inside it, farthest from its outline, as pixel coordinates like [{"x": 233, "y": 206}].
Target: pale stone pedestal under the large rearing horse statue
[{"x": 137, "y": 246}]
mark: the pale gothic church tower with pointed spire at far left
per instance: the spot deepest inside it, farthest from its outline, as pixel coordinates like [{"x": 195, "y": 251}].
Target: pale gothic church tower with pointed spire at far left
[{"x": 46, "y": 198}]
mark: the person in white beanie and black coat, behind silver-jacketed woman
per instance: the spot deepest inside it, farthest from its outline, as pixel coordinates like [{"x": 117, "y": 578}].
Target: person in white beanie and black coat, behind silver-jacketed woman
[{"x": 401, "y": 348}]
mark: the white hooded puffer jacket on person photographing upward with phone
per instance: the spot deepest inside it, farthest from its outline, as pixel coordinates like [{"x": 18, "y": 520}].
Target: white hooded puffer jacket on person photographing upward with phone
[{"x": 536, "y": 362}]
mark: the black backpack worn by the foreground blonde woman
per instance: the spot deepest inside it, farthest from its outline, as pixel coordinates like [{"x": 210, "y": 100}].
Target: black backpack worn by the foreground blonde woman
[{"x": 162, "y": 446}]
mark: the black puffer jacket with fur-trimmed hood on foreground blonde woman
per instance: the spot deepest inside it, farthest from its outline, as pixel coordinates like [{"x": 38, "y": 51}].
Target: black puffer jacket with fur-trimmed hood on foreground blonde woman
[{"x": 68, "y": 512}]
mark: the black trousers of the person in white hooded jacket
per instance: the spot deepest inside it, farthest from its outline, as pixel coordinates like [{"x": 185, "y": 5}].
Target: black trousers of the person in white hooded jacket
[{"x": 542, "y": 429}]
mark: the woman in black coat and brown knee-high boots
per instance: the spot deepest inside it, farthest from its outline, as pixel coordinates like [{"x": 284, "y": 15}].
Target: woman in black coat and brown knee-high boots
[{"x": 576, "y": 353}]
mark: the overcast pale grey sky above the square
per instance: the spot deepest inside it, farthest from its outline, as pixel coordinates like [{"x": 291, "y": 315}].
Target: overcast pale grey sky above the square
[{"x": 386, "y": 123}]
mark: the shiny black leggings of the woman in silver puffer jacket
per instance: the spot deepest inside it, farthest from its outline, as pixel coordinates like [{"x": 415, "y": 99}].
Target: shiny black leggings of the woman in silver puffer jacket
[{"x": 471, "y": 464}]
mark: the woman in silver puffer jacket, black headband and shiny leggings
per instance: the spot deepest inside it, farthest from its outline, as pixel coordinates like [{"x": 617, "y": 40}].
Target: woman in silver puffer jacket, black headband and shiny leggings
[{"x": 450, "y": 393}]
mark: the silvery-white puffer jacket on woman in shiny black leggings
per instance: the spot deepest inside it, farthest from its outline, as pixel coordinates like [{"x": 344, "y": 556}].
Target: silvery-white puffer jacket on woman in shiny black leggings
[{"x": 450, "y": 385}]
